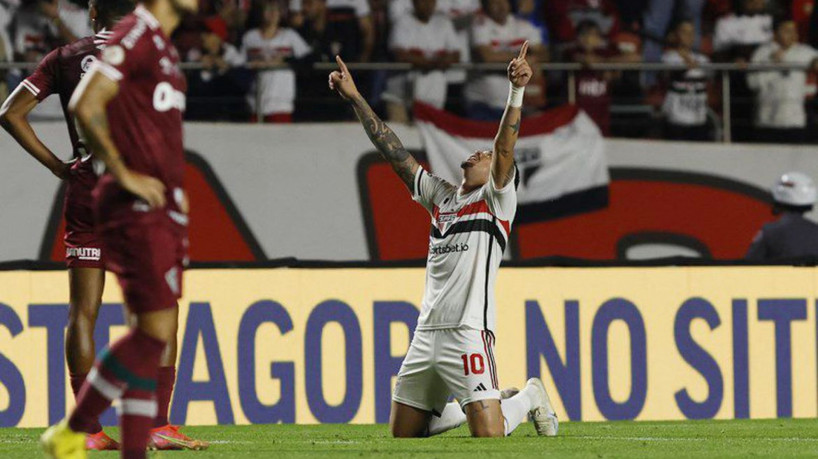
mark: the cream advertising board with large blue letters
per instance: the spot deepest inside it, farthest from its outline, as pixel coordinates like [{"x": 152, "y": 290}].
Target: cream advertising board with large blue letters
[{"x": 323, "y": 345}]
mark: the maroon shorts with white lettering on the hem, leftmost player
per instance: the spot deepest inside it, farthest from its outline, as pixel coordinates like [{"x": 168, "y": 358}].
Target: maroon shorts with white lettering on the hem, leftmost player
[{"x": 83, "y": 246}]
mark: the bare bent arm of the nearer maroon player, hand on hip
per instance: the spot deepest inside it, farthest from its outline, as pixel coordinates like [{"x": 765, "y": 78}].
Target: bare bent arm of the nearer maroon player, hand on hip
[{"x": 88, "y": 106}]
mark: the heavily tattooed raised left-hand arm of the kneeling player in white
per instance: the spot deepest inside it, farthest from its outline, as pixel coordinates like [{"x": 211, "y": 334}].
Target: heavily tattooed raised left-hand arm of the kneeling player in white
[{"x": 379, "y": 133}]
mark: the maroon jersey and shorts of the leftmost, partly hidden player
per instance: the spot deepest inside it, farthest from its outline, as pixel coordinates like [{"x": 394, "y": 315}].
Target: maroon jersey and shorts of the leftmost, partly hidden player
[{"x": 60, "y": 73}]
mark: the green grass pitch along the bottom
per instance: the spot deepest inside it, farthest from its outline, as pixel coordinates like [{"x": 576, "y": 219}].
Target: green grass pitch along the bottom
[{"x": 769, "y": 438}]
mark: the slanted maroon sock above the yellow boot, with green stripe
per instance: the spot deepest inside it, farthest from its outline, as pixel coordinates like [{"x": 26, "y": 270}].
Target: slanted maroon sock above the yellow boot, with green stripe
[{"x": 130, "y": 363}]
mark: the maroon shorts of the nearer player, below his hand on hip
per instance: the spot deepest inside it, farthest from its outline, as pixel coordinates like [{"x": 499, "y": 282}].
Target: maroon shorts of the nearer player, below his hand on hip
[{"x": 148, "y": 253}]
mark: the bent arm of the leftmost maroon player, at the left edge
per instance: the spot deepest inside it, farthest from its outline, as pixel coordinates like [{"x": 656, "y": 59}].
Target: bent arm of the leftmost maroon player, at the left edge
[{"x": 14, "y": 119}]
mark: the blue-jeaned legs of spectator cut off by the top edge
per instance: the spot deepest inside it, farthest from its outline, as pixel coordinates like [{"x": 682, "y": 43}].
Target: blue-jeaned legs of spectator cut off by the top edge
[{"x": 657, "y": 20}]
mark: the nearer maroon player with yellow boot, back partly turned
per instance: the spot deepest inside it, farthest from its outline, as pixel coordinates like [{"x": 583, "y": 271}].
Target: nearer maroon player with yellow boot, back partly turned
[{"x": 130, "y": 108}]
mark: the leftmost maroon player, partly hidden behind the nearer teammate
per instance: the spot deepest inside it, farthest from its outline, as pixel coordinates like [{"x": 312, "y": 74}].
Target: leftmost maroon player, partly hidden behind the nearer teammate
[{"x": 59, "y": 73}]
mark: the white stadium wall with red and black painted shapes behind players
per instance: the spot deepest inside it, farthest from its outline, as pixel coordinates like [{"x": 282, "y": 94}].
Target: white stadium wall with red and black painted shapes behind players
[{"x": 313, "y": 192}]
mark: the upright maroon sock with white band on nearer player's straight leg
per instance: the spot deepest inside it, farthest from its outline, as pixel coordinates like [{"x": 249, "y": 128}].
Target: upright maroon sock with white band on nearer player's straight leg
[{"x": 137, "y": 412}]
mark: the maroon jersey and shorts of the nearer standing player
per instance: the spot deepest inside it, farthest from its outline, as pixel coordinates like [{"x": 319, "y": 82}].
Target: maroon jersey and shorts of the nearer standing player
[{"x": 146, "y": 248}]
